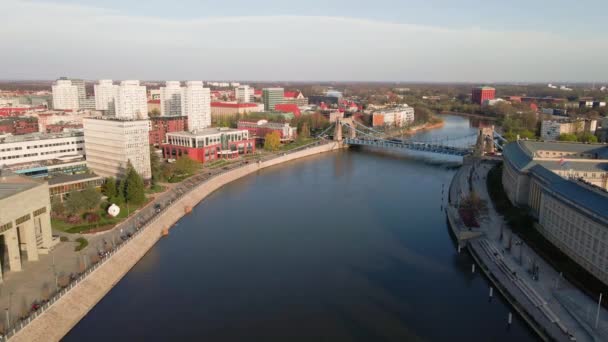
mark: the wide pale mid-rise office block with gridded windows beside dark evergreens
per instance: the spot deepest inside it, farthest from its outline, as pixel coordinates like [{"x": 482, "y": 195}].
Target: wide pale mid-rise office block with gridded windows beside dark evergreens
[{"x": 112, "y": 142}]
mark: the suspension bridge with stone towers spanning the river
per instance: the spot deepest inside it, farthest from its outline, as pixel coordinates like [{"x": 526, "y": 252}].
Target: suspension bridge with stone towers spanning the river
[{"x": 351, "y": 132}]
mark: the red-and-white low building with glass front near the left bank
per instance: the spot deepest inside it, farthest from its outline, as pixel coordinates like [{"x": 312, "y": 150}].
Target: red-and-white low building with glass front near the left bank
[{"x": 208, "y": 144}]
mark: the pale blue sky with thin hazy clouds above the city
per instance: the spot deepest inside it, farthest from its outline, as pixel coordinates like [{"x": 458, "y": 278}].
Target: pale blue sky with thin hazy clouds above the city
[{"x": 306, "y": 40}]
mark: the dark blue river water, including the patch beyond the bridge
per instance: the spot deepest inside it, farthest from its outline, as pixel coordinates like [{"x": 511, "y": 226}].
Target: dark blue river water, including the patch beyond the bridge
[{"x": 345, "y": 246}]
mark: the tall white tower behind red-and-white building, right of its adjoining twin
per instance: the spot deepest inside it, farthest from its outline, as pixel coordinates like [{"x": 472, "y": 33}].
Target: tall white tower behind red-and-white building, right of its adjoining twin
[{"x": 196, "y": 105}]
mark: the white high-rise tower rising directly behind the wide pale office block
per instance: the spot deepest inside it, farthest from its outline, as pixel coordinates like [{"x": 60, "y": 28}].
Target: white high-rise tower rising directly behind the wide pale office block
[{"x": 131, "y": 101}]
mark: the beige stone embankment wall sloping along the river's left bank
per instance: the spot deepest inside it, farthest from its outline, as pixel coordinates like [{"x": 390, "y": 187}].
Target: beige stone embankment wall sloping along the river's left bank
[{"x": 79, "y": 298}]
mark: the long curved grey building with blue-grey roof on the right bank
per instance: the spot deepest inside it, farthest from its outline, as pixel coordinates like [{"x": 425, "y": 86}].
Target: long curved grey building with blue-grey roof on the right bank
[{"x": 563, "y": 185}]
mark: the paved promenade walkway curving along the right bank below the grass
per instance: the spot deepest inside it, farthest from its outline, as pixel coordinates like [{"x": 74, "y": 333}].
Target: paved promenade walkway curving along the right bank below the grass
[{"x": 548, "y": 301}]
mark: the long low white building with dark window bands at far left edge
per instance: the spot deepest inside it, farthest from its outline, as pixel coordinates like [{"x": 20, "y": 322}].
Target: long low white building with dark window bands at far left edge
[{"x": 36, "y": 147}]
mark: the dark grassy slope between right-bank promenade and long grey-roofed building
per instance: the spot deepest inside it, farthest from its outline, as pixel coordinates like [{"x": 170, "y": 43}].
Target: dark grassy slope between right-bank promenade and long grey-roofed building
[{"x": 522, "y": 223}]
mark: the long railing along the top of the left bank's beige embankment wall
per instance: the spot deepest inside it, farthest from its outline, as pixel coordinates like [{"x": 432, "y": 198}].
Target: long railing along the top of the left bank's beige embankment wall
[{"x": 23, "y": 322}]
